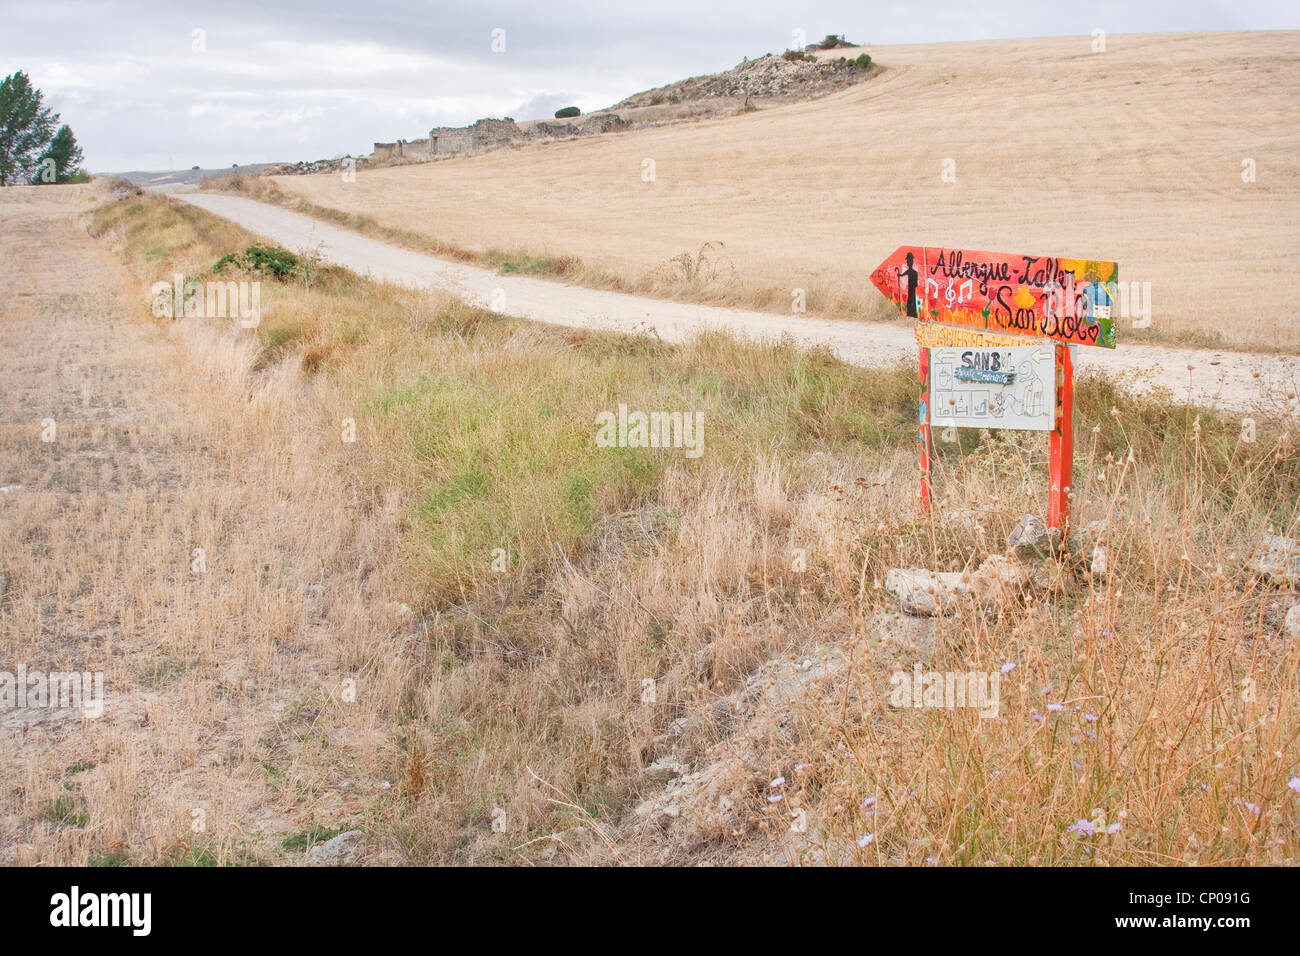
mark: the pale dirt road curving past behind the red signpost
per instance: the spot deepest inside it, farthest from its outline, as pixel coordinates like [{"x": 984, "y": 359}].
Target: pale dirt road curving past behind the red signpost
[{"x": 1233, "y": 380}]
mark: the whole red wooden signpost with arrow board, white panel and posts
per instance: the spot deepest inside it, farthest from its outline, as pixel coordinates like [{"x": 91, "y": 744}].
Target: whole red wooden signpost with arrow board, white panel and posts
[{"x": 995, "y": 334}]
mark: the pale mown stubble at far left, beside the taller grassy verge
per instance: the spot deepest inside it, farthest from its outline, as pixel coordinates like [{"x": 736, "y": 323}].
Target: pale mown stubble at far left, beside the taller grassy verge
[{"x": 223, "y": 685}]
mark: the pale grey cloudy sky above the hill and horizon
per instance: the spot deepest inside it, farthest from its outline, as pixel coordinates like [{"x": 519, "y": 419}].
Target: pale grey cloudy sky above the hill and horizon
[{"x": 170, "y": 85}]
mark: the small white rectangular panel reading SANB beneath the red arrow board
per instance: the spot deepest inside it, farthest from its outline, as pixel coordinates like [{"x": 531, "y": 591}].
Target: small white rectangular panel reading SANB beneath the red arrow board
[{"x": 994, "y": 388}]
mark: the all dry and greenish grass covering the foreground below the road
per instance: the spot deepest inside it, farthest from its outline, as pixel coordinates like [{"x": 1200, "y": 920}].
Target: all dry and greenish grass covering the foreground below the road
[{"x": 506, "y": 713}]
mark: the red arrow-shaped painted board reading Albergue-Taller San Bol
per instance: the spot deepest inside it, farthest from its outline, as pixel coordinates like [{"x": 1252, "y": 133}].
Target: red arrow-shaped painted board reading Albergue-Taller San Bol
[{"x": 1067, "y": 300}]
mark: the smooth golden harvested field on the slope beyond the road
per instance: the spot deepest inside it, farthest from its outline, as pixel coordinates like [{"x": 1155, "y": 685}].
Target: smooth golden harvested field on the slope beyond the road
[{"x": 1176, "y": 155}]
